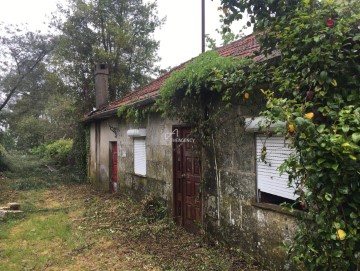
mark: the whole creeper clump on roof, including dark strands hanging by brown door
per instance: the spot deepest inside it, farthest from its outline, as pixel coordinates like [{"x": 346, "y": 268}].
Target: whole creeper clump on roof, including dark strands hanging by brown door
[{"x": 204, "y": 88}]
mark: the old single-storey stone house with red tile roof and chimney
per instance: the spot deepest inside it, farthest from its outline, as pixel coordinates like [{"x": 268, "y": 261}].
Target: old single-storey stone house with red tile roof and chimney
[{"x": 239, "y": 203}]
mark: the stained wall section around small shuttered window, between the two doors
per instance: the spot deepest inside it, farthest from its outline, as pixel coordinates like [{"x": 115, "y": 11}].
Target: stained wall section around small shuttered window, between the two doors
[{"x": 159, "y": 178}]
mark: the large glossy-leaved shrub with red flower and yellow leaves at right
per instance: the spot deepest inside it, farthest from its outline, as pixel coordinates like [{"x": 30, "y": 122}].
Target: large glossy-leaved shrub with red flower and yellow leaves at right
[{"x": 315, "y": 89}]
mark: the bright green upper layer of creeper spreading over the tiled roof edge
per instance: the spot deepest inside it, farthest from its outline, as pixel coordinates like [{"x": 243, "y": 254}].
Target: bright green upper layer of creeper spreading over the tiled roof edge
[{"x": 200, "y": 79}]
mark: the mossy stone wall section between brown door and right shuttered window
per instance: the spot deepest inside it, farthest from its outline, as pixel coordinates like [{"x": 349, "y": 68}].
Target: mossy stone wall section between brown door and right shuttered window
[{"x": 231, "y": 214}]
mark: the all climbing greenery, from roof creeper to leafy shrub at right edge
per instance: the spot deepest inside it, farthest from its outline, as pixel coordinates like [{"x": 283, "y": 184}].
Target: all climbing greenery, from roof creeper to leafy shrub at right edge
[{"x": 311, "y": 81}]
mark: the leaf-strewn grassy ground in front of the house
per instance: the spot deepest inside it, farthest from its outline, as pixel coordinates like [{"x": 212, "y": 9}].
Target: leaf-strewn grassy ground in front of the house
[{"x": 68, "y": 226}]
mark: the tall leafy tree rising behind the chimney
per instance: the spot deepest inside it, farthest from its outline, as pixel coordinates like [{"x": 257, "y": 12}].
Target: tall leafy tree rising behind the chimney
[{"x": 106, "y": 31}]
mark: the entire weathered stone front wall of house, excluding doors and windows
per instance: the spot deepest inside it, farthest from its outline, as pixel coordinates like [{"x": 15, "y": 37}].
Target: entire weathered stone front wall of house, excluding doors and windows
[{"x": 231, "y": 213}]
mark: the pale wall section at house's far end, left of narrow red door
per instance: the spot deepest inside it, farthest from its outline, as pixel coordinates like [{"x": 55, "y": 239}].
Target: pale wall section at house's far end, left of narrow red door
[{"x": 100, "y": 147}]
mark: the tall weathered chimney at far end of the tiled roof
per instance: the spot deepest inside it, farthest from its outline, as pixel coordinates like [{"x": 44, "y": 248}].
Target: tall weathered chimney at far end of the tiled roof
[{"x": 101, "y": 85}]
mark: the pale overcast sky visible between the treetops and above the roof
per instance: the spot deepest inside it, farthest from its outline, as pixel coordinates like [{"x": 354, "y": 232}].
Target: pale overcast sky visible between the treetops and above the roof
[{"x": 180, "y": 37}]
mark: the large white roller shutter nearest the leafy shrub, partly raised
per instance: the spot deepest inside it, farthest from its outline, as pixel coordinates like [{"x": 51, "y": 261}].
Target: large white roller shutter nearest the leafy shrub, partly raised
[{"x": 268, "y": 175}]
